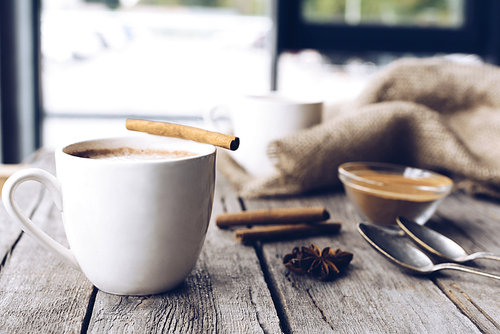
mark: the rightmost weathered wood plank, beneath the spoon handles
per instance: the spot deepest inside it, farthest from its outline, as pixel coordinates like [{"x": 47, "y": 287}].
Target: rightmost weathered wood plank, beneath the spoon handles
[{"x": 470, "y": 223}]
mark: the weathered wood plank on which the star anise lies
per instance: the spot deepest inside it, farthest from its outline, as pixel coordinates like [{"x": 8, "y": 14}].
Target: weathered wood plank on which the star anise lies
[{"x": 373, "y": 296}]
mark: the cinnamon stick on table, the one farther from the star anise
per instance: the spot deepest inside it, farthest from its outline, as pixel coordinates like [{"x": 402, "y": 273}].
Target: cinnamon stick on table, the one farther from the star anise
[{"x": 273, "y": 217}]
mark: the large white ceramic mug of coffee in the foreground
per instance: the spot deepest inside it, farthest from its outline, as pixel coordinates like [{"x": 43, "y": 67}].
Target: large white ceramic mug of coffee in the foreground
[{"x": 134, "y": 227}]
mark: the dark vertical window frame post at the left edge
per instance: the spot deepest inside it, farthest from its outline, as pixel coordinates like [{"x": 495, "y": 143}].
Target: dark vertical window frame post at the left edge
[{"x": 20, "y": 93}]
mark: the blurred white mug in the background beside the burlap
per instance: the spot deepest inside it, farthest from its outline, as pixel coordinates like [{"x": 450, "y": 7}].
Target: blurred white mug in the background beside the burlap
[{"x": 260, "y": 119}]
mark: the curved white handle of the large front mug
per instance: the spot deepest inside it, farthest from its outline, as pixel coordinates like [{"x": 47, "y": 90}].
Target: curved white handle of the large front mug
[{"x": 13, "y": 209}]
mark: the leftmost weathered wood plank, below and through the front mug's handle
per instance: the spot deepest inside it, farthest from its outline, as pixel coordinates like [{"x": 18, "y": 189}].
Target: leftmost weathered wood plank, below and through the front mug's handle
[{"x": 38, "y": 293}]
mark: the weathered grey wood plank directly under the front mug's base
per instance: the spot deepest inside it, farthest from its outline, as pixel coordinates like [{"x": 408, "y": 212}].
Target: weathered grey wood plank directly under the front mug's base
[{"x": 225, "y": 293}]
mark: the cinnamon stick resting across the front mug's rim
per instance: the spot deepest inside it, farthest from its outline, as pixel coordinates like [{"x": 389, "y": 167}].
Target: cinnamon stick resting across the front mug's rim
[{"x": 185, "y": 132}]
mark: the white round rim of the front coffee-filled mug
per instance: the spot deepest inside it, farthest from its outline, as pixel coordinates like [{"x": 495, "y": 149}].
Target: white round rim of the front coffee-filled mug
[{"x": 209, "y": 149}]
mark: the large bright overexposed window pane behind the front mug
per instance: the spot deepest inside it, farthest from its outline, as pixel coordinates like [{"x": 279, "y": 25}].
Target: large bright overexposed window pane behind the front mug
[{"x": 154, "y": 59}]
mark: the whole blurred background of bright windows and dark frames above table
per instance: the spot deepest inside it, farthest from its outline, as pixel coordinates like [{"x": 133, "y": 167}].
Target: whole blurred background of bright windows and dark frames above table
[{"x": 97, "y": 62}]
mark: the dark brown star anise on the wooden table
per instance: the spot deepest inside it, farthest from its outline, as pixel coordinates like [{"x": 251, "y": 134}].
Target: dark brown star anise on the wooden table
[{"x": 324, "y": 264}]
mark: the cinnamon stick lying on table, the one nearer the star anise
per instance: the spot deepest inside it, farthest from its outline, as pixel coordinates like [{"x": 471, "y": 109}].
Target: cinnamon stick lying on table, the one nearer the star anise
[{"x": 264, "y": 233}]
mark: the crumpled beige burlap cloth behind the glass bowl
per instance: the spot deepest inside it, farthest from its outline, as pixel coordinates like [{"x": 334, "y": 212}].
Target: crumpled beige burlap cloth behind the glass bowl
[{"x": 428, "y": 113}]
